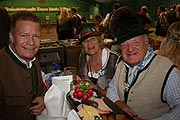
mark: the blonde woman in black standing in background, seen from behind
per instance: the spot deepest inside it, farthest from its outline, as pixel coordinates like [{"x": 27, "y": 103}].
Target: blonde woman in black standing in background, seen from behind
[{"x": 64, "y": 27}]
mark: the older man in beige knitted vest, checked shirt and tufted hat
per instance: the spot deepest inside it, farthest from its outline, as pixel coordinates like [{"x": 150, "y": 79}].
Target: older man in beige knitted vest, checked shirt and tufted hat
[{"x": 145, "y": 85}]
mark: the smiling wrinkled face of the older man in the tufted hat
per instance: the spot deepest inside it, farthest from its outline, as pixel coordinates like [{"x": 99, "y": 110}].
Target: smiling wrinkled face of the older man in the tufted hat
[{"x": 134, "y": 50}]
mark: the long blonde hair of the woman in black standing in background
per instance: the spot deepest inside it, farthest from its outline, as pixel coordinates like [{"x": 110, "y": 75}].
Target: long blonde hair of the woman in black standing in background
[{"x": 64, "y": 16}]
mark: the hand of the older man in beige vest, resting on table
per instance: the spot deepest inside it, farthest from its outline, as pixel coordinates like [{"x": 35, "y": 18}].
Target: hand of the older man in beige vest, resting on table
[{"x": 126, "y": 108}]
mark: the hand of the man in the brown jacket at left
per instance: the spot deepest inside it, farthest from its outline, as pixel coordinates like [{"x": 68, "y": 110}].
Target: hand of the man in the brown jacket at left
[{"x": 38, "y": 107}]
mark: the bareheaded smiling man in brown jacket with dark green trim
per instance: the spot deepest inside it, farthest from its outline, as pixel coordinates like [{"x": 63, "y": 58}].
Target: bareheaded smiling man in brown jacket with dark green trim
[{"x": 21, "y": 86}]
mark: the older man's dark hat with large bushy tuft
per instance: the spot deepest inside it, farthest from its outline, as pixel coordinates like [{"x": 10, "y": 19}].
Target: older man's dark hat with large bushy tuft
[{"x": 125, "y": 24}]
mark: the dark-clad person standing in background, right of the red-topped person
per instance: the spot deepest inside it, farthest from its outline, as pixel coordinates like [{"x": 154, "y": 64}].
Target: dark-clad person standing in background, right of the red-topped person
[{"x": 162, "y": 22}]
